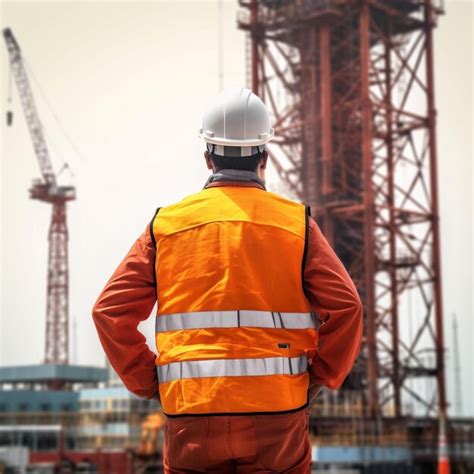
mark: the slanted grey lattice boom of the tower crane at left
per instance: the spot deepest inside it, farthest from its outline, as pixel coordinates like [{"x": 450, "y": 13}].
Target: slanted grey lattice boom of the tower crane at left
[{"x": 34, "y": 124}]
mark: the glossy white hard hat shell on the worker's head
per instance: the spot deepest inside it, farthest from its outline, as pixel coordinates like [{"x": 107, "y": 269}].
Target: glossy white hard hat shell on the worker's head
[{"x": 237, "y": 117}]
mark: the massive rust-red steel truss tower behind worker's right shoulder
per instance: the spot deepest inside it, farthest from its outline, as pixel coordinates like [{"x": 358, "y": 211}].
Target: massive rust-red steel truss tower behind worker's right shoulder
[{"x": 350, "y": 86}]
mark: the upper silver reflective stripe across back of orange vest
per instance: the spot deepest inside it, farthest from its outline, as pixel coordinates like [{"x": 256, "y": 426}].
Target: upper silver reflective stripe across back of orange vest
[{"x": 233, "y": 319}]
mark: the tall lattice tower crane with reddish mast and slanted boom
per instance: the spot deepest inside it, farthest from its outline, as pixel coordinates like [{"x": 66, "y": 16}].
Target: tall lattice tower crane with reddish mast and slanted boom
[{"x": 47, "y": 189}]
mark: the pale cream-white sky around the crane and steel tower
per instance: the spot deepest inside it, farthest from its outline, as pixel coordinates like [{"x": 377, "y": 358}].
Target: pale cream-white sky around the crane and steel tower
[{"x": 129, "y": 81}]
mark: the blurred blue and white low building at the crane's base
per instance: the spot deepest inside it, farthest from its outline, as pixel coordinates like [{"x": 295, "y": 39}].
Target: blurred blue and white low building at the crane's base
[{"x": 92, "y": 415}]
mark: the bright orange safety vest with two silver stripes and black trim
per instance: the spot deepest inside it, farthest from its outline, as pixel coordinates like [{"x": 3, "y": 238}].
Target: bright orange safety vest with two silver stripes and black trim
[{"x": 234, "y": 330}]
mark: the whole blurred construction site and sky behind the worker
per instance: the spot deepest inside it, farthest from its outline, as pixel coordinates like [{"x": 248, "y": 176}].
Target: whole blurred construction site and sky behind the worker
[{"x": 103, "y": 82}]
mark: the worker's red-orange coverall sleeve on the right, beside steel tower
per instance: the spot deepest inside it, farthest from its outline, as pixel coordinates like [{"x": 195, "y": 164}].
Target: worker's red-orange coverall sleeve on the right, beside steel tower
[{"x": 334, "y": 298}]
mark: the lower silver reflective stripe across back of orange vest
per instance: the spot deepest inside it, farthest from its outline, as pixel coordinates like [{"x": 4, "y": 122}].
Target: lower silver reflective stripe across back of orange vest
[{"x": 231, "y": 368}]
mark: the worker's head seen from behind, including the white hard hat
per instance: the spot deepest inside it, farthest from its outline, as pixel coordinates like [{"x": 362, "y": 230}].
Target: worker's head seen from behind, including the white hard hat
[{"x": 236, "y": 127}]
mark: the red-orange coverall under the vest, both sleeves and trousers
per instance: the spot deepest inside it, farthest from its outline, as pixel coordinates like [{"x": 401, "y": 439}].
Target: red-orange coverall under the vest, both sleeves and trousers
[{"x": 236, "y": 443}]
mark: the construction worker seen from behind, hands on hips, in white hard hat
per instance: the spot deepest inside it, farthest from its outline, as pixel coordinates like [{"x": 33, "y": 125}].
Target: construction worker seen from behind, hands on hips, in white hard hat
[{"x": 255, "y": 311}]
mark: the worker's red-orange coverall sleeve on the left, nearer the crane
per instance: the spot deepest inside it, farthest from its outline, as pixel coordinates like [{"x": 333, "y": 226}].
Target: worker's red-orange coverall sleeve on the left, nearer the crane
[{"x": 127, "y": 299}]
